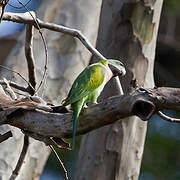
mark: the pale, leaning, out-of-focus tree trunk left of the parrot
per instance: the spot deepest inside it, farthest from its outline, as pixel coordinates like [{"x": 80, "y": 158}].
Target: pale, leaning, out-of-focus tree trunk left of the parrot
[{"x": 67, "y": 57}]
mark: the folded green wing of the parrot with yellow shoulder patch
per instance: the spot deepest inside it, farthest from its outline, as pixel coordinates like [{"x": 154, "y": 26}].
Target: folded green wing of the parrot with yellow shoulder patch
[{"x": 87, "y": 81}]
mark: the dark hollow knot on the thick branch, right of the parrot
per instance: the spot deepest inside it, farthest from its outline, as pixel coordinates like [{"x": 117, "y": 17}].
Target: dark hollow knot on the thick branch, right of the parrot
[{"x": 143, "y": 109}]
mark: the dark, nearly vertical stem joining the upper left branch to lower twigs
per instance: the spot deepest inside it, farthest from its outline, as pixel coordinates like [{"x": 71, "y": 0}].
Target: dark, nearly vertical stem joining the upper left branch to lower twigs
[{"x": 30, "y": 57}]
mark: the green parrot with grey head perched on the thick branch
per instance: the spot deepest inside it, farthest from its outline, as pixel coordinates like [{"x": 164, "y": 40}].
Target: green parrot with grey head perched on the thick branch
[{"x": 89, "y": 84}]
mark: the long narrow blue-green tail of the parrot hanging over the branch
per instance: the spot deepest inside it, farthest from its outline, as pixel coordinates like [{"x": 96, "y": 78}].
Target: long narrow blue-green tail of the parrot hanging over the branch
[{"x": 76, "y": 107}]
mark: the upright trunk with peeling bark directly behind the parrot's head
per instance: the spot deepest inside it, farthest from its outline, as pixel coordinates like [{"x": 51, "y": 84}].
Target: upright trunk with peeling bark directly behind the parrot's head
[{"x": 127, "y": 31}]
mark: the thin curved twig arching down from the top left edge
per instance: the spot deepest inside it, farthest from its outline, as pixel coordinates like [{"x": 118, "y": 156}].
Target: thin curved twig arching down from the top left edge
[{"x": 45, "y": 47}]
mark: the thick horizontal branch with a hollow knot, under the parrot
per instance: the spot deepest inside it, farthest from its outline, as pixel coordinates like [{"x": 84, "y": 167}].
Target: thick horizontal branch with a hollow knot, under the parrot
[{"x": 143, "y": 103}]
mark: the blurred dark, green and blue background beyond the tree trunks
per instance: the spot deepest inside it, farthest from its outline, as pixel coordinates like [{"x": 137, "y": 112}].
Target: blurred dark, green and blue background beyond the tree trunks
[{"x": 162, "y": 148}]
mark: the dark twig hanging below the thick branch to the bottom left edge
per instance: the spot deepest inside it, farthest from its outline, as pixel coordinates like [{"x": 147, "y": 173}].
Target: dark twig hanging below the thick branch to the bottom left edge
[{"x": 21, "y": 159}]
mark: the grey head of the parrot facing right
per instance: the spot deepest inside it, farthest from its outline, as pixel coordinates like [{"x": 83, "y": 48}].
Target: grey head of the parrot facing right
[{"x": 116, "y": 67}]
